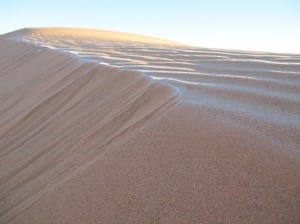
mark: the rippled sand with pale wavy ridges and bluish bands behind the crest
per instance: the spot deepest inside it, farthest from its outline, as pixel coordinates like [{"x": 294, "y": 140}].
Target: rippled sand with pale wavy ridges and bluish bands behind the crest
[{"x": 261, "y": 88}]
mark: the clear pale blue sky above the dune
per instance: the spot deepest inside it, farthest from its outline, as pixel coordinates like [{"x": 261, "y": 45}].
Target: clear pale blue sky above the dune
[{"x": 269, "y": 25}]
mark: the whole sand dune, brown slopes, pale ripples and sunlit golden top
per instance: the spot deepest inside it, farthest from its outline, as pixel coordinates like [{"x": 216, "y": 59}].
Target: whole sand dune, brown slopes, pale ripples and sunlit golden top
[{"x": 99, "y": 127}]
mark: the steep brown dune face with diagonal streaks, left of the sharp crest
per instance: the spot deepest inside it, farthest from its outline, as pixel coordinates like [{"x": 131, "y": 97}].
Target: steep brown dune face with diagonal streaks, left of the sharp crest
[{"x": 58, "y": 115}]
